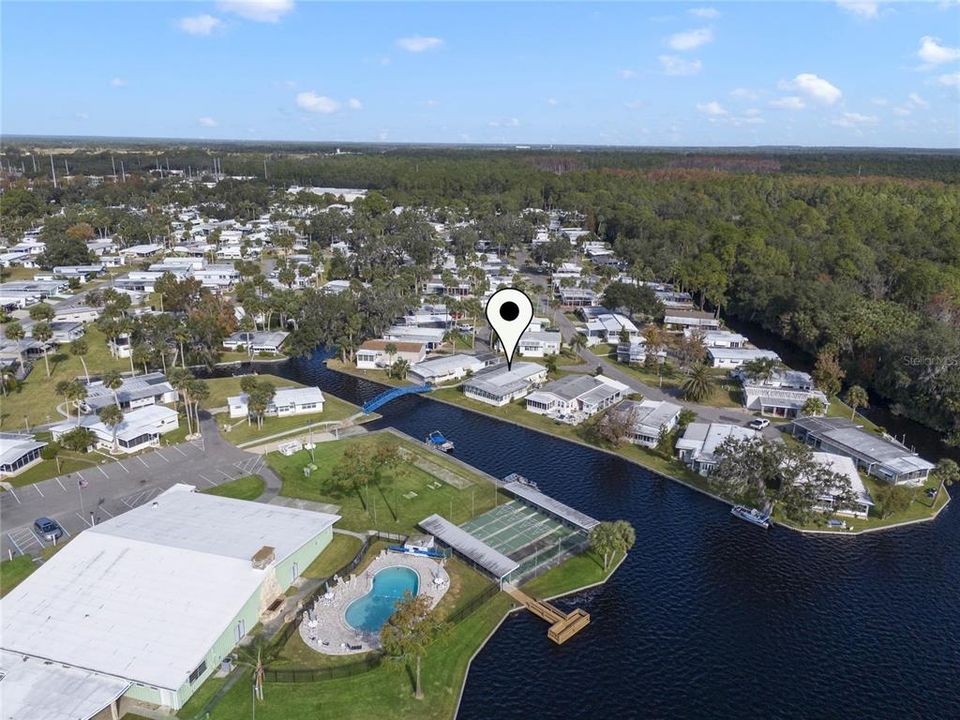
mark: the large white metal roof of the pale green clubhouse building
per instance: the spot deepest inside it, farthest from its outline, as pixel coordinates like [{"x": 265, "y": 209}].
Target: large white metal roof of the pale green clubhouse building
[{"x": 144, "y": 596}]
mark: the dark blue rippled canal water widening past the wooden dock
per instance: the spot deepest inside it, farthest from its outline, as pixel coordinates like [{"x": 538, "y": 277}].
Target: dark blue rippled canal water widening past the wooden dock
[{"x": 709, "y": 617}]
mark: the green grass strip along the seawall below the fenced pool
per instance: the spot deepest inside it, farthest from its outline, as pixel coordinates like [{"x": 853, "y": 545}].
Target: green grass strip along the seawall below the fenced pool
[{"x": 384, "y": 692}]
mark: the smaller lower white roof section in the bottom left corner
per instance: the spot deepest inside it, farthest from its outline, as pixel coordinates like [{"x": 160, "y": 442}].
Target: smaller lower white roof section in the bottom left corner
[{"x": 32, "y": 688}]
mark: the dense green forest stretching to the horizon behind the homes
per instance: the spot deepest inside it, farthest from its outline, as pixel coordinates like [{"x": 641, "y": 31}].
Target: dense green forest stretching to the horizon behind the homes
[{"x": 852, "y": 254}]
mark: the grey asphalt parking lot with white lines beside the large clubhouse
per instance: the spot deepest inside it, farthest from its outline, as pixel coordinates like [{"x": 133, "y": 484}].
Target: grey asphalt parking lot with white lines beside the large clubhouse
[{"x": 79, "y": 500}]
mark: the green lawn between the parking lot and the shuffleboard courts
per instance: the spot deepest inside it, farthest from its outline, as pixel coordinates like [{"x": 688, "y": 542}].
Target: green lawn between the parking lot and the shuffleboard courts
[{"x": 383, "y": 507}]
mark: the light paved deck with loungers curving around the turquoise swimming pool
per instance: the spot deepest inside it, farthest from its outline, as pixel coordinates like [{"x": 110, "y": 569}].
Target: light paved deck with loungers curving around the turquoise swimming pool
[{"x": 329, "y": 633}]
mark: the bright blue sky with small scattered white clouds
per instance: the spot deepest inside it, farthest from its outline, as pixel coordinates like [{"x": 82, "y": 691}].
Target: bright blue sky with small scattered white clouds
[{"x": 828, "y": 73}]
